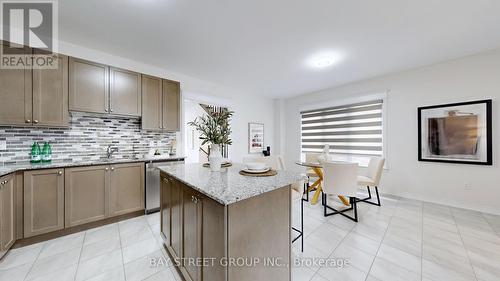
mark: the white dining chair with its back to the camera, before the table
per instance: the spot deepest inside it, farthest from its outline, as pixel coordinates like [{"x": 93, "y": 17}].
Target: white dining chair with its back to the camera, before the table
[{"x": 340, "y": 179}]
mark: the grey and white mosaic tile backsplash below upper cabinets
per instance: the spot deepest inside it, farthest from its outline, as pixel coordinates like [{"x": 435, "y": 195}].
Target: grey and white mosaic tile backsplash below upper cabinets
[{"x": 86, "y": 139}]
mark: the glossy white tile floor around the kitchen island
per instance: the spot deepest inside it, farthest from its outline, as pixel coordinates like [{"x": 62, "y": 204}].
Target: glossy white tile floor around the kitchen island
[{"x": 402, "y": 240}]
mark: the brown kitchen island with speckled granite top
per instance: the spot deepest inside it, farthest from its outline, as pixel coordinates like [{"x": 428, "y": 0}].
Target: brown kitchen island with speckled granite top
[{"x": 224, "y": 226}]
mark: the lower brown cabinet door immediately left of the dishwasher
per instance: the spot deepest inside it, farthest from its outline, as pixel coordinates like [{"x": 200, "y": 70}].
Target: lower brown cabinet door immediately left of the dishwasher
[{"x": 126, "y": 193}]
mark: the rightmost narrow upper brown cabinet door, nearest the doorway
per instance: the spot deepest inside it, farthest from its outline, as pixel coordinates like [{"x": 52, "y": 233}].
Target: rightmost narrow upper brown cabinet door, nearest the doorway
[{"x": 171, "y": 105}]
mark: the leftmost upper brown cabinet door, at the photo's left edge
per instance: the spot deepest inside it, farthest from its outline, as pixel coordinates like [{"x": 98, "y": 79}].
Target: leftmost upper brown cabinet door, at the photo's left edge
[{"x": 15, "y": 97}]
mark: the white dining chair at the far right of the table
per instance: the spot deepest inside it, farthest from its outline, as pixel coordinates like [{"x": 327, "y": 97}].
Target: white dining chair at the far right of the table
[{"x": 372, "y": 179}]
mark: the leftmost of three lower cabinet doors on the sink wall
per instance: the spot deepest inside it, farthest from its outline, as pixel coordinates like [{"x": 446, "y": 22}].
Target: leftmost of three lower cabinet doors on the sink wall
[{"x": 43, "y": 201}]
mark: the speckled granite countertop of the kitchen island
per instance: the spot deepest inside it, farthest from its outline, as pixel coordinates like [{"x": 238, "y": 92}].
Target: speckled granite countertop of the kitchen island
[{"x": 228, "y": 186}]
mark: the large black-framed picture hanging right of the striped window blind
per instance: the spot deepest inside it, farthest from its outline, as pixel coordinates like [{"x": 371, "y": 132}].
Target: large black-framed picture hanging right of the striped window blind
[{"x": 456, "y": 133}]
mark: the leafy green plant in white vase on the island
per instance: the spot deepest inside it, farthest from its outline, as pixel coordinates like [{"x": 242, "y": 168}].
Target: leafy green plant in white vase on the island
[{"x": 215, "y": 129}]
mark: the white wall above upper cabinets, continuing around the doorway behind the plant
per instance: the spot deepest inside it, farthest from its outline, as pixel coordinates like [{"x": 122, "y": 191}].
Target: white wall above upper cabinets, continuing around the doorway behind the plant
[{"x": 247, "y": 107}]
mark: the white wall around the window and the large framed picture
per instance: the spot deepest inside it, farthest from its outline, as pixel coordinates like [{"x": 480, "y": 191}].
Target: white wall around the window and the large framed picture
[{"x": 471, "y": 78}]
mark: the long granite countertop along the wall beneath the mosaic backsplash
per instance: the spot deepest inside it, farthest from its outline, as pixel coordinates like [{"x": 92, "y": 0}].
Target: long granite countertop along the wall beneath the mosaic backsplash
[{"x": 7, "y": 169}]
